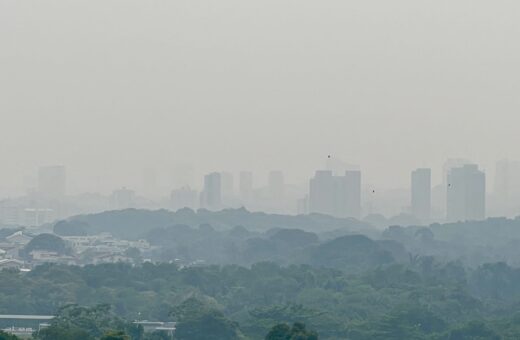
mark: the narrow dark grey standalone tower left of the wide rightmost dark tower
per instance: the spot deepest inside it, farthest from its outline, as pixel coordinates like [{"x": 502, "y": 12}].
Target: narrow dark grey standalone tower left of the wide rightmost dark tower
[{"x": 421, "y": 194}]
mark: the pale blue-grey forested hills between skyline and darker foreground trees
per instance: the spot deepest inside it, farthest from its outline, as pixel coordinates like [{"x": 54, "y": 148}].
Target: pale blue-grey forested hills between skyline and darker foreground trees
[{"x": 242, "y": 237}]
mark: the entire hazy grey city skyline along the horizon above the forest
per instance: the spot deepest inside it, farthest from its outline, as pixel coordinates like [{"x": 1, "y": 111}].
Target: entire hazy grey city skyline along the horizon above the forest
[{"x": 337, "y": 190}]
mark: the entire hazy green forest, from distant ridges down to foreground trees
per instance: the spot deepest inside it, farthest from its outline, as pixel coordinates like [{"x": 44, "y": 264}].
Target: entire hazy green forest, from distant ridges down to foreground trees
[{"x": 272, "y": 279}]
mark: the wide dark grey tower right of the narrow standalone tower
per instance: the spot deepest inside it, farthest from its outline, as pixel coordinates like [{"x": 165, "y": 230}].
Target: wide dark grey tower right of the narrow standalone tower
[{"x": 466, "y": 196}]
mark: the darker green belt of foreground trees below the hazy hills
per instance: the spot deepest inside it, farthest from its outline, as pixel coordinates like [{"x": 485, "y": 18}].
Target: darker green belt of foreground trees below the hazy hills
[{"x": 424, "y": 300}]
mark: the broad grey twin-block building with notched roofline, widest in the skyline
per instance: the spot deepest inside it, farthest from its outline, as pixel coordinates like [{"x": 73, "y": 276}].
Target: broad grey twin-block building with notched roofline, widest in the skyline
[{"x": 338, "y": 196}]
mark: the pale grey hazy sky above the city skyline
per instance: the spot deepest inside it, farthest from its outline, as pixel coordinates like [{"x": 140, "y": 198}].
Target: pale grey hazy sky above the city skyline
[{"x": 111, "y": 87}]
